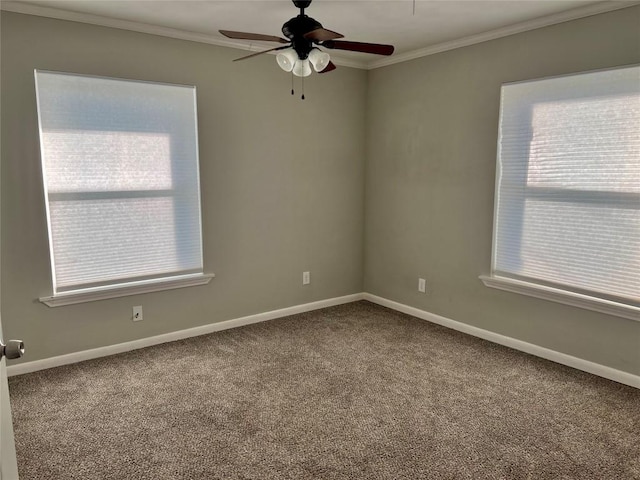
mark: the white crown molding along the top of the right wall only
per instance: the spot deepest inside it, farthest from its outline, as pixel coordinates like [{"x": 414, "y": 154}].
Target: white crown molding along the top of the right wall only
[{"x": 575, "y": 14}]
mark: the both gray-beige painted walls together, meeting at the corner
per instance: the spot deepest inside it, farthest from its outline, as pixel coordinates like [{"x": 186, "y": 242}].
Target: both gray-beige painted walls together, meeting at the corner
[{"x": 278, "y": 200}]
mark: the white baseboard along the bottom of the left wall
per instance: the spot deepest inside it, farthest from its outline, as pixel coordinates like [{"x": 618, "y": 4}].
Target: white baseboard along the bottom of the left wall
[{"x": 75, "y": 357}]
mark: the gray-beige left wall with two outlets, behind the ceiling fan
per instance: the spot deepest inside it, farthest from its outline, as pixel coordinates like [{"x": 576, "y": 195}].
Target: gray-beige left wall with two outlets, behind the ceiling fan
[{"x": 282, "y": 184}]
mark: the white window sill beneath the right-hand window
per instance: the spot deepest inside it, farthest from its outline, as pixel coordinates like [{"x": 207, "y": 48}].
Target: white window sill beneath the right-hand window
[{"x": 562, "y": 296}]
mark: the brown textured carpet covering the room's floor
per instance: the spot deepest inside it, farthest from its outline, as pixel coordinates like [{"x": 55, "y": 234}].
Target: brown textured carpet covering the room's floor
[{"x": 350, "y": 392}]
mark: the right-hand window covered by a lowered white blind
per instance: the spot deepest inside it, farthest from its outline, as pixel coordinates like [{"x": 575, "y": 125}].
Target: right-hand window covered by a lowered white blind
[{"x": 567, "y": 215}]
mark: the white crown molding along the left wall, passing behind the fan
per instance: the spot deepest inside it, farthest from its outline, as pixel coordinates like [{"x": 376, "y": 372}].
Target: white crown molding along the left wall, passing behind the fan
[{"x": 40, "y": 11}]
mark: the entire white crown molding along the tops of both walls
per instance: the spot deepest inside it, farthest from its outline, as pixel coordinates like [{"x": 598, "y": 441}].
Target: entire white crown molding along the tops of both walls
[{"x": 577, "y": 13}]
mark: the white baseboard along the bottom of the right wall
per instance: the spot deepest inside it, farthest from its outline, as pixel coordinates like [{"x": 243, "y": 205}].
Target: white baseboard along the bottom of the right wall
[{"x": 574, "y": 362}]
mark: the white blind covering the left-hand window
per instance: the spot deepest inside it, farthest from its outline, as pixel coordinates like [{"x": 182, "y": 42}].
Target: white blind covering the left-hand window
[{"x": 120, "y": 168}]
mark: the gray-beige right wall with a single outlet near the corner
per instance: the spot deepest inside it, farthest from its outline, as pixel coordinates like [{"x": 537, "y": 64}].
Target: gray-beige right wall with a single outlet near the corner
[{"x": 430, "y": 176}]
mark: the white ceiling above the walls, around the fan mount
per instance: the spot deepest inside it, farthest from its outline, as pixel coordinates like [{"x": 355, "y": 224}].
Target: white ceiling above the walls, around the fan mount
[{"x": 415, "y": 29}]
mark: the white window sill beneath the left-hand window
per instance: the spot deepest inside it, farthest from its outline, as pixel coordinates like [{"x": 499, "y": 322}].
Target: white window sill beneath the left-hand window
[{"x": 125, "y": 289}]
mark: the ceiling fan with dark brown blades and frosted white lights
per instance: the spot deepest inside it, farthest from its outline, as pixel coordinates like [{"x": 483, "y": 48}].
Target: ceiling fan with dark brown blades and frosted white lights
[{"x": 304, "y": 35}]
